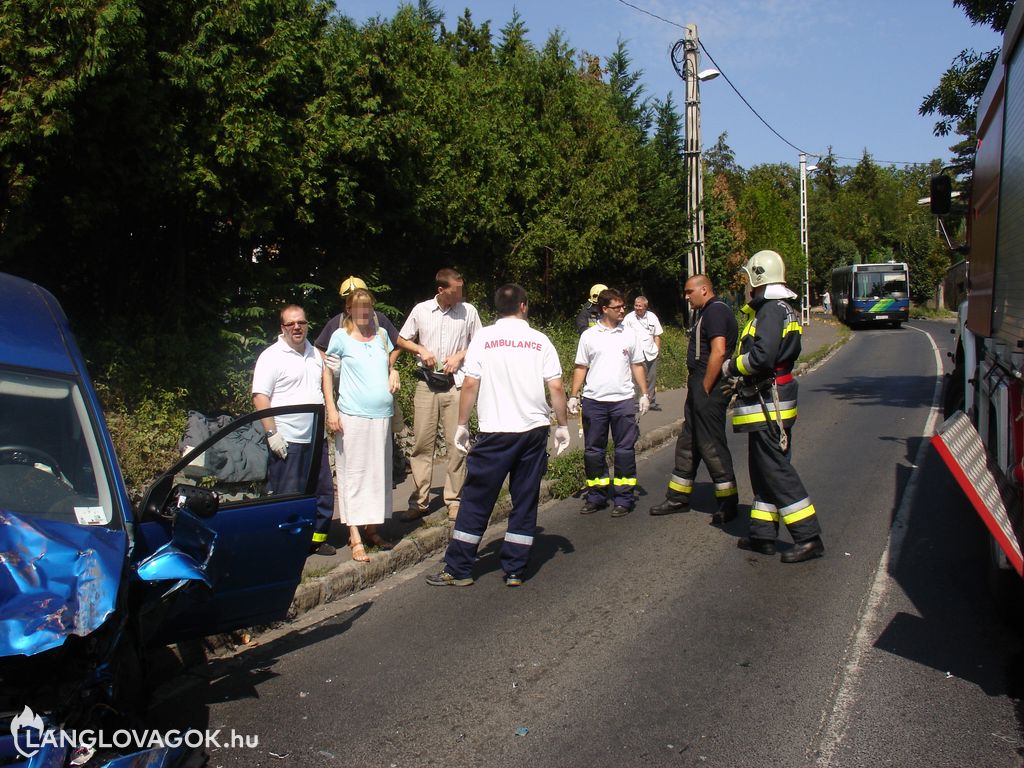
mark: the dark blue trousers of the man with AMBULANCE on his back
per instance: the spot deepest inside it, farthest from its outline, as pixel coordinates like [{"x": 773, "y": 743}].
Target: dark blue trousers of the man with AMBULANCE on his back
[{"x": 524, "y": 458}]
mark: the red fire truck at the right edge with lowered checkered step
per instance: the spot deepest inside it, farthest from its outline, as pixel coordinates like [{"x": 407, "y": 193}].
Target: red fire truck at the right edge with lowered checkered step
[{"x": 983, "y": 440}]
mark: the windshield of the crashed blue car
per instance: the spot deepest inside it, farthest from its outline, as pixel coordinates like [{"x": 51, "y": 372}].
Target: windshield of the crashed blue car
[{"x": 51, "y": 462}]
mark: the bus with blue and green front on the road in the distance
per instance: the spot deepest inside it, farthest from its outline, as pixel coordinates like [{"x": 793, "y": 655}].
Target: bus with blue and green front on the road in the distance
[{"x": 871, "y": 294}]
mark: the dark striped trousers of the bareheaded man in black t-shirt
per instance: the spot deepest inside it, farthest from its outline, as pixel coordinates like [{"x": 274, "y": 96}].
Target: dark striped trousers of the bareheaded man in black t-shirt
[{"x": 703, "y": 438}]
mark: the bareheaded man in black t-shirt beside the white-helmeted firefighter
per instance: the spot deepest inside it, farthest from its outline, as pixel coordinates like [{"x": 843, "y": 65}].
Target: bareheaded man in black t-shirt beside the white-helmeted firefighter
[{"x": 713, "y": 338}]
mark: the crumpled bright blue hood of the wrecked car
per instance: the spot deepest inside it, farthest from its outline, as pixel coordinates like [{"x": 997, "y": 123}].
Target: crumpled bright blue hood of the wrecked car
[{"x": 57, "y": 580}]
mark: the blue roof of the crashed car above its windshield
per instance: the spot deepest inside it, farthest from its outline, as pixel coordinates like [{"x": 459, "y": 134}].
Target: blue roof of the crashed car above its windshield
[{"x": 32, "y": 328}]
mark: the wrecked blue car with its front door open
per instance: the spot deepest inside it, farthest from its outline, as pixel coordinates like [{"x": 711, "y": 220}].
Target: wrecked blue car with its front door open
[{"x": 88, "y": 581}]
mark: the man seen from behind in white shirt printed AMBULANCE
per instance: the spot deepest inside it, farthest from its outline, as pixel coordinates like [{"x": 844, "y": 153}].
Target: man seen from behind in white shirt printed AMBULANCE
[{"x": 506, "y": 367}]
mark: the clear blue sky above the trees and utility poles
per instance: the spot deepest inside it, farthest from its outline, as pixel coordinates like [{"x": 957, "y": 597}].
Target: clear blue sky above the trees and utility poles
[{"x": 824, "y": 73}]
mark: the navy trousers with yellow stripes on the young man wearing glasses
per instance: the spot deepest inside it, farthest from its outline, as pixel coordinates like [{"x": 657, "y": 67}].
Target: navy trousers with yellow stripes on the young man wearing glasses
[{"x": 599, "y": 418}]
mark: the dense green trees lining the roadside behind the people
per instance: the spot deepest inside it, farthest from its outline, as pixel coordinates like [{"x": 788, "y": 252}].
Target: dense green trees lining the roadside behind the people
[{"x": 177, "y": 173}]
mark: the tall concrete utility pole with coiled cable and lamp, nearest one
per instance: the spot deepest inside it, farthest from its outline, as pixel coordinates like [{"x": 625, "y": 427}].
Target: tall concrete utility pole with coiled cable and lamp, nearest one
[{"x": 687, "y": 68}]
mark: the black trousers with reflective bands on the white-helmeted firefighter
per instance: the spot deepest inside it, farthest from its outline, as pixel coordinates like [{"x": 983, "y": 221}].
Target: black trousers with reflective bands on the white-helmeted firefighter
[{"x": 779, "y": 492}]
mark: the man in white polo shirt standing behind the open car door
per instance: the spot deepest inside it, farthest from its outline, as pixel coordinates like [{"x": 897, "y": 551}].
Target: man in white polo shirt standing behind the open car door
[{"x": 290, "y": 372}]
